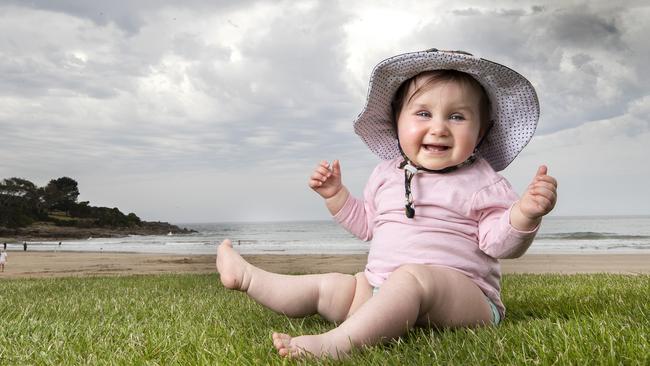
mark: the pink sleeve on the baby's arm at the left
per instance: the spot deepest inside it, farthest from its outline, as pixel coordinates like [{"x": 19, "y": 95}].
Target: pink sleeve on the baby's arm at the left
[{"x": 357, "y": 216}]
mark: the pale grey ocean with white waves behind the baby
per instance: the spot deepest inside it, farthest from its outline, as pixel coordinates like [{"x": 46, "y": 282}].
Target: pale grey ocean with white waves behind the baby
[{"x": 558, "y": 235}]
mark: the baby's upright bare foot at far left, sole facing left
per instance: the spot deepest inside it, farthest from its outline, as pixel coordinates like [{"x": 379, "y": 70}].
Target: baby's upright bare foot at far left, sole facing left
[{"x": 234, "y": 271}]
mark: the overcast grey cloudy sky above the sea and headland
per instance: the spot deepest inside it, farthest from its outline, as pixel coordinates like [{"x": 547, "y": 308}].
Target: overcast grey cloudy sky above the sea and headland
[{"x": 204, "y": 111}]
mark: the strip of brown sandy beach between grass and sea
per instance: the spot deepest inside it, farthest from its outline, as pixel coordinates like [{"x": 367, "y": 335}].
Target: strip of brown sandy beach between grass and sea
[{"x": 60, "y": 264}]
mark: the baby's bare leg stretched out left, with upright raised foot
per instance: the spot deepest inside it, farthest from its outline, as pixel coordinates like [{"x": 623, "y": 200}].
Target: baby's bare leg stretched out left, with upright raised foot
[{"x": 329, "y": 295}]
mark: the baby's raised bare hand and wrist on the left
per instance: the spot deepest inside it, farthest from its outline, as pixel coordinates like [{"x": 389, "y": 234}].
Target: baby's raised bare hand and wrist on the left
[{"x": 327, "y": 183}]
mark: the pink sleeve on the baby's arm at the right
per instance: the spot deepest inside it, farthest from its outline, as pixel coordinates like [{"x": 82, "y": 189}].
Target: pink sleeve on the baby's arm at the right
[{"x": 497, "y": 238}]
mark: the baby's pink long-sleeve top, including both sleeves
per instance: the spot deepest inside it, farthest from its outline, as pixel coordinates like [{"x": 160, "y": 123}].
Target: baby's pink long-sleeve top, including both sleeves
[{"x": 462, "y": 221}]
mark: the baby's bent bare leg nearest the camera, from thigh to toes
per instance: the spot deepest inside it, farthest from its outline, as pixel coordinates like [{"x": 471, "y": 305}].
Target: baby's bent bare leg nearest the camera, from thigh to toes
[{"x": 413, "y": 294}]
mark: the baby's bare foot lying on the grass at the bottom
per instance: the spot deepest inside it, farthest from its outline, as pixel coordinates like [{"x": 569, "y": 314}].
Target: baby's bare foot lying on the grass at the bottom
[{"x": 307, "y": 346}]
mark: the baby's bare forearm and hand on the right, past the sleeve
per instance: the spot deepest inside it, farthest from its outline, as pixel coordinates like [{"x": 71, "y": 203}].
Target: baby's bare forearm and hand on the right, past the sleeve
[{"x": 538, "y": 200}]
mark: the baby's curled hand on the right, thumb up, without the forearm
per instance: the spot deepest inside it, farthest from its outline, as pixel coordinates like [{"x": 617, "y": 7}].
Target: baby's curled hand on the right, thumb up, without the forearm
[{"x": 541, "y": 195}]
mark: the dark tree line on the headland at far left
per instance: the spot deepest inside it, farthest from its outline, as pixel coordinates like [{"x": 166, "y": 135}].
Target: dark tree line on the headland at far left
[{"x": 22, "y": 204}]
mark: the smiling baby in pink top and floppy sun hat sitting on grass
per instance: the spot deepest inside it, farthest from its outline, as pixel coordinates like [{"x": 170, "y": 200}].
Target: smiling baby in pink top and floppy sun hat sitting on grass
[{"x": 436, "y": 212}]
